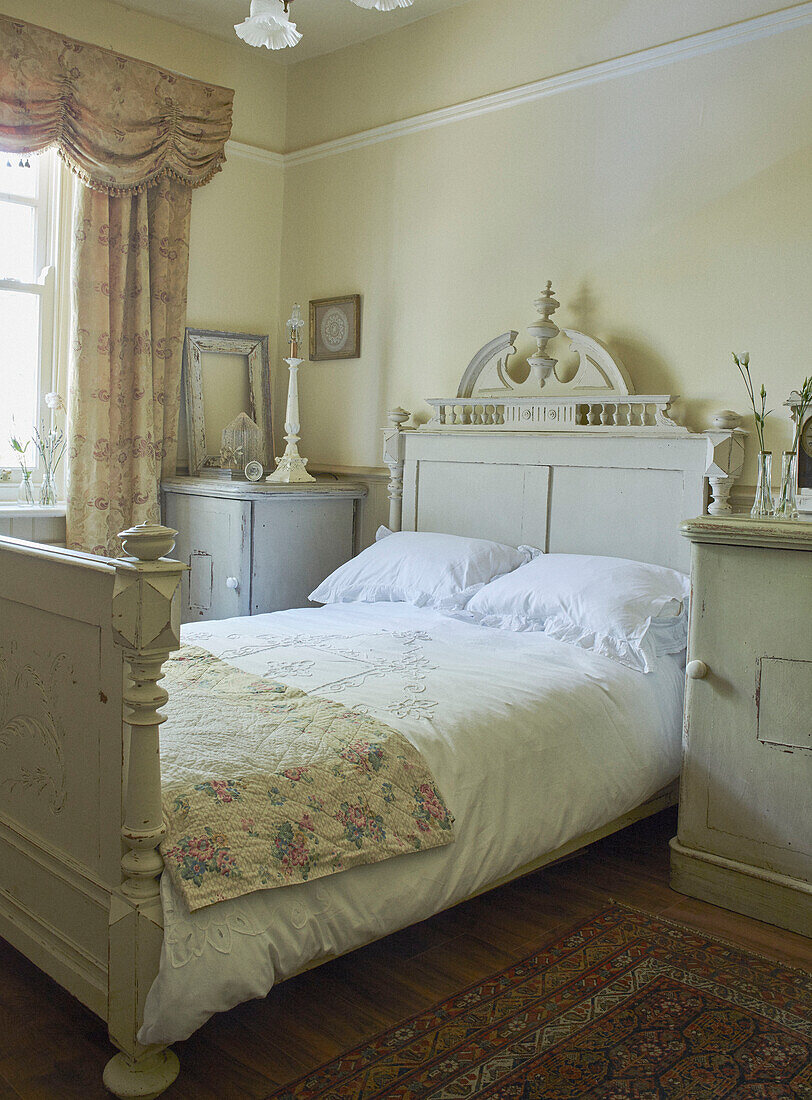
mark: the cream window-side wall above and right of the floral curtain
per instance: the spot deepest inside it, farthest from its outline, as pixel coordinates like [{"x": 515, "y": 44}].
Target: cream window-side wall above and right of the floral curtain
[{"x": 236, "y": 233}]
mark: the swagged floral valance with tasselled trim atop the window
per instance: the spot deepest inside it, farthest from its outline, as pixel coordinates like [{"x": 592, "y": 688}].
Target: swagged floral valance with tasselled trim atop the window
[{"x": 118, "y": 123}]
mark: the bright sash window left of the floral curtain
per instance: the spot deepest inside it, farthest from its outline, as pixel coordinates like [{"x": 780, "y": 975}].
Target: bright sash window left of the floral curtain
[{"x": 27, "y": 298}]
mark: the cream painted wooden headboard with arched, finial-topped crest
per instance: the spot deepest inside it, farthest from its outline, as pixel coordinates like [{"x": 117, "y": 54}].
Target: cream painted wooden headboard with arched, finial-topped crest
[{"x": 585, "y": 467}]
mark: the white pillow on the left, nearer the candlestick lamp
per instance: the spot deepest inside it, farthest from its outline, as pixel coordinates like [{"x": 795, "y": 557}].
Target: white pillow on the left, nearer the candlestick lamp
[{"x": 420, "y": 568}]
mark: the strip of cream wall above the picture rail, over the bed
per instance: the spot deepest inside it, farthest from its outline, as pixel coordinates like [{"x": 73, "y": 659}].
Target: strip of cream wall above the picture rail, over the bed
[{"x": 480, "y": 48}]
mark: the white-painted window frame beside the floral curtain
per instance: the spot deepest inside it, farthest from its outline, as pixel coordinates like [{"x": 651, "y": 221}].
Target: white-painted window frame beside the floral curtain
[{"x": 47, "y": 206}]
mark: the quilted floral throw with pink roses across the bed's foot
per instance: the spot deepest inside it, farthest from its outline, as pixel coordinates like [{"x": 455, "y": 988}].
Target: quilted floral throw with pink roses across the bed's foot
[{"x": 266, "y": 786}]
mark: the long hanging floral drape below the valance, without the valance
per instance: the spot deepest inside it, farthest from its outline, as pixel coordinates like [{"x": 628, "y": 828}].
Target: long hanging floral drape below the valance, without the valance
[{"x": 129, "y": 273}]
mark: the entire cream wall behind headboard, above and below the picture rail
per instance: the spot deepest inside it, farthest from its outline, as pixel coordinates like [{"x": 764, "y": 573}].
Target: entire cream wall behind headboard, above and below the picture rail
[{"x": 670, "y": 207}]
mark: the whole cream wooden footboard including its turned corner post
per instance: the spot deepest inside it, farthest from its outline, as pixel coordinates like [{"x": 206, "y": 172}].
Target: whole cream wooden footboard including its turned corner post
[{"x": 82, "y": 639}]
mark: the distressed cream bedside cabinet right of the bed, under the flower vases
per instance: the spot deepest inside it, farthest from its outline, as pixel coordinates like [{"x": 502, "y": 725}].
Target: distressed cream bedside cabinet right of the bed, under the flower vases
[{"x": 745, "y": 820}]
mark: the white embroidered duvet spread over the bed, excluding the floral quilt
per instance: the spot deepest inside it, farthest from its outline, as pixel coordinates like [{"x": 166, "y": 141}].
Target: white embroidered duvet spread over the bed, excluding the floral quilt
[{"x": 532, "y": 743}]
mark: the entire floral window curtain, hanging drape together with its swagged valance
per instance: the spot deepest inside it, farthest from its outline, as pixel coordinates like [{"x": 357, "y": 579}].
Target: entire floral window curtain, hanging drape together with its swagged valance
[{"x": 140, "y": 139}]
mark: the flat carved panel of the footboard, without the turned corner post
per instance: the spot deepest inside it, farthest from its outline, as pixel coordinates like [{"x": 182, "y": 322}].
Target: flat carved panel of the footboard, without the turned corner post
[{"x": 61, "y": 751}]
